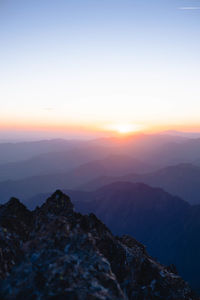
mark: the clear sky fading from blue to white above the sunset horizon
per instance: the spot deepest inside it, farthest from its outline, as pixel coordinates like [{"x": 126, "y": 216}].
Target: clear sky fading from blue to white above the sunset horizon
[{"x": 74, "y": 65}]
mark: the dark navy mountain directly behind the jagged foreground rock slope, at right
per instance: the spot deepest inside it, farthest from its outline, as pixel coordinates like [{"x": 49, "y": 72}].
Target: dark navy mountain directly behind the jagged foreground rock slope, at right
[{"x": 167, "y": 225}]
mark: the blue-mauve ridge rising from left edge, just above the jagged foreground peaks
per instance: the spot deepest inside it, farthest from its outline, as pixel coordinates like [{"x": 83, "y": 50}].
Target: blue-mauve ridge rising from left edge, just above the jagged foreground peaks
[{"x": 28, "y": 187}]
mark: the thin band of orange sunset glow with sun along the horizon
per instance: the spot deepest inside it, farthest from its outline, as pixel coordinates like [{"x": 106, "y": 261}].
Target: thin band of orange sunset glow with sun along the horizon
[{"x": 120, "y": 129}]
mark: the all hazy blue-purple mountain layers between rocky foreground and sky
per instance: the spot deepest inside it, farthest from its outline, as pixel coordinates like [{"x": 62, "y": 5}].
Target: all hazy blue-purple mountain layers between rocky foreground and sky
[{"x": 146, "y": 186}]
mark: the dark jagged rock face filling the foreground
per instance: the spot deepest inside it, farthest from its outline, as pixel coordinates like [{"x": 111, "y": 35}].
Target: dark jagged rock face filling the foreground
[{"x": 56, "y": 253}]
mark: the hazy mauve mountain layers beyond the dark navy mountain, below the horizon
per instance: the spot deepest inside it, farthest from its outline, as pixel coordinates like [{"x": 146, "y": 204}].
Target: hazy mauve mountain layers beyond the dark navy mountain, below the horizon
[{"x": 166, "y": 161}]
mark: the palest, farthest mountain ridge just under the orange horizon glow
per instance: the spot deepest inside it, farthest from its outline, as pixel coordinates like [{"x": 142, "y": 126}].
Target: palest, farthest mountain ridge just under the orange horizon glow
[{"x": 20, "y": 151}]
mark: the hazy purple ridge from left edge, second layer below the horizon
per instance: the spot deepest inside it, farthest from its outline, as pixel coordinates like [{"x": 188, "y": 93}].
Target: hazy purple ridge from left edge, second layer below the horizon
[{"x": 51, "y": 162}]
